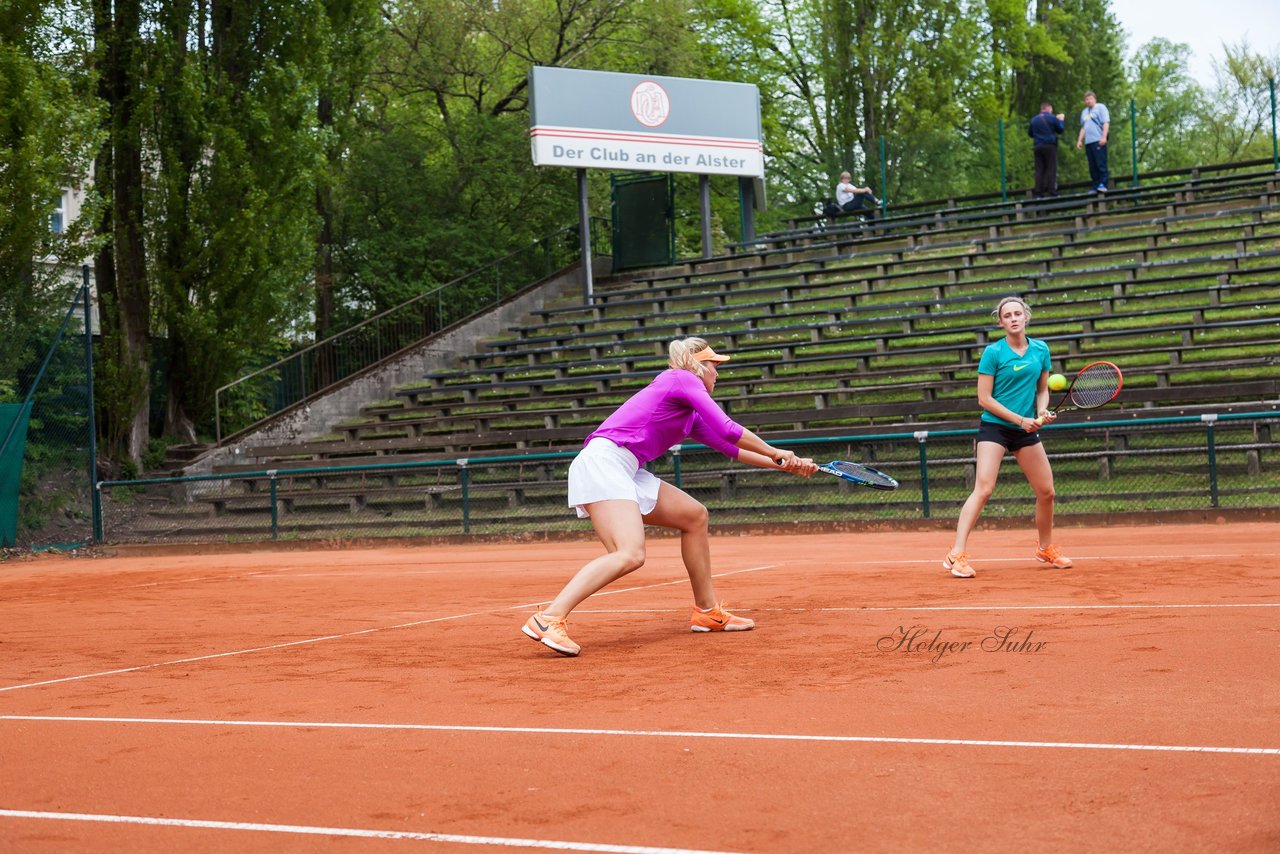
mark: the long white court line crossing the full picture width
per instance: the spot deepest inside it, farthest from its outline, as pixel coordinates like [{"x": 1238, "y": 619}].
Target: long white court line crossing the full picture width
[{"x": 657, "y": 734}]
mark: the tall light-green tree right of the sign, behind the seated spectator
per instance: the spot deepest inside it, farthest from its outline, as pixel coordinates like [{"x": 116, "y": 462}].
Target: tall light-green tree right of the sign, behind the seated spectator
[{"x": 860, "y": 72}]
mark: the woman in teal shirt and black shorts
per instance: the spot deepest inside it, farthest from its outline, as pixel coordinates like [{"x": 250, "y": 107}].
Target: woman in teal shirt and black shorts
[{"x": 1013, "y": 389}]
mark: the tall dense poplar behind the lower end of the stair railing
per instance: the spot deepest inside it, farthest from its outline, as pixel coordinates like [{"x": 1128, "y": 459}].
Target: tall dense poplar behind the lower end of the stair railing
[{"x": 234, "y": 203}]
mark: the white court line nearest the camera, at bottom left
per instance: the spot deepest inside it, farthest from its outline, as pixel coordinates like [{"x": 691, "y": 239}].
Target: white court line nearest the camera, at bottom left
[{"x": 351, "y": 832}]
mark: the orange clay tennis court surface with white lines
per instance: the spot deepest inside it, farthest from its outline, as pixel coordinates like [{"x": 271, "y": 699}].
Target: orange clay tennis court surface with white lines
[{"x": 386, "y": 700}]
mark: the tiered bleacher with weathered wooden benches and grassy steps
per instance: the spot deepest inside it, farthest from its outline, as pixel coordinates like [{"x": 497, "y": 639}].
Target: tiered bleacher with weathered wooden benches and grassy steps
[{"x": 847, "y": 330}]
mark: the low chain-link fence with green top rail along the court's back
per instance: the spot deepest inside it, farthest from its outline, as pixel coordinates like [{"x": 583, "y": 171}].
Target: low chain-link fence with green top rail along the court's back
[{"x": 1107, "y": 468}]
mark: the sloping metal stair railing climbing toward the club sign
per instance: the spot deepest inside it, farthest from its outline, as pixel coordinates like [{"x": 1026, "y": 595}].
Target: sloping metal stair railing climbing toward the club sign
[{"x": 308, "y": 373}]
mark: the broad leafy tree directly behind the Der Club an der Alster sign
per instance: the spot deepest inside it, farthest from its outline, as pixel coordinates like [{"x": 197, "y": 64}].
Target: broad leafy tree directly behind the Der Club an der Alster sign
[{"x": 440, "y": 180}]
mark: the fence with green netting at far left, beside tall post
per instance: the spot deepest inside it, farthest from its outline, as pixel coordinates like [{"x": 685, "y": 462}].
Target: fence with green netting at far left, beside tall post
[{"x": 47, "y": 433}]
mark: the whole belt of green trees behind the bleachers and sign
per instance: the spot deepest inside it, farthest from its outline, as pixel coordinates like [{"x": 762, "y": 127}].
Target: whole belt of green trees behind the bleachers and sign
[{"x": 269, "y": 172}]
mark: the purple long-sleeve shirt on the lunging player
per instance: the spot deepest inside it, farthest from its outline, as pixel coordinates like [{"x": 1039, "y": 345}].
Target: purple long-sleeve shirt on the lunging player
[{"x": 674, "y": 407}]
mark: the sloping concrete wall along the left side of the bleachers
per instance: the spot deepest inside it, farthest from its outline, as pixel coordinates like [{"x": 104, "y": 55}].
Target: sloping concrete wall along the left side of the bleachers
[{"x": 440, "y": 353}]
